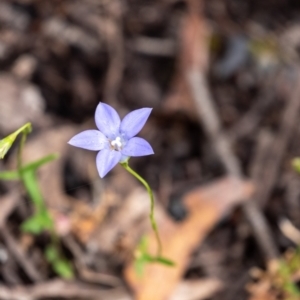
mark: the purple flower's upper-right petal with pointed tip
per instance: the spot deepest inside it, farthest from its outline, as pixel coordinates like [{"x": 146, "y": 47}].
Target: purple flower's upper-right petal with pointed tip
[{"x": 134, "y": 122}]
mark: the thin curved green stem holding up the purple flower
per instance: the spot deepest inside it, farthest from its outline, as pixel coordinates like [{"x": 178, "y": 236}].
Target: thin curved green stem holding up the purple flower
[{"x": 151, "y": 215}]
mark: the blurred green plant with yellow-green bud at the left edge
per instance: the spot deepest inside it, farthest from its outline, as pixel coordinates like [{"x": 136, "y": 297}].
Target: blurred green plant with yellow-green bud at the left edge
[{"x": 41, "y": 221}]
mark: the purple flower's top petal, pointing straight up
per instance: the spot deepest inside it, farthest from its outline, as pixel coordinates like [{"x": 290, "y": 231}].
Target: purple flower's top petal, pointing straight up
[{"x": 107, "y": 120}]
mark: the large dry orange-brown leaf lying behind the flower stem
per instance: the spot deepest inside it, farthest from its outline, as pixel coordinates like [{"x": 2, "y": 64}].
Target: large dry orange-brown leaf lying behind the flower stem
[{"x": 206, "y": 206}]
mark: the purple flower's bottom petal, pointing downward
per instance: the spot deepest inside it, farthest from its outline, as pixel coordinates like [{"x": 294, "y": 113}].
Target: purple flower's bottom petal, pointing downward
[{"x": 106, "y": 160}]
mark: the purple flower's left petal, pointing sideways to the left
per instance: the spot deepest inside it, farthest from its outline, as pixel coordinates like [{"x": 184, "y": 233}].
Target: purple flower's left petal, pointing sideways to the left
[{"x": 90, "y": 140}]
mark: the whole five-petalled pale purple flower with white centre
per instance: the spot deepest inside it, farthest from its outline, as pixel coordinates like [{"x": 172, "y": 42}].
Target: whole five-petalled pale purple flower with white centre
[{"x": 115, "y": 139}]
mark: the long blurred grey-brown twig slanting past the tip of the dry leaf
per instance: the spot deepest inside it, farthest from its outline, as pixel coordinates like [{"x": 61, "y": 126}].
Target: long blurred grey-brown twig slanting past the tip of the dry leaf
[{"x": 209, "y": 118}]
